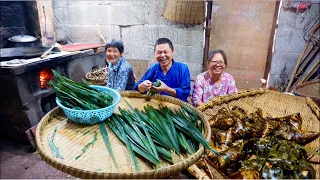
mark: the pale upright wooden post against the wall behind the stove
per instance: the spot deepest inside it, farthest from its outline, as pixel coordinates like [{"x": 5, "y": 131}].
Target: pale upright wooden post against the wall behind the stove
[{"x": 45, "y": 14}]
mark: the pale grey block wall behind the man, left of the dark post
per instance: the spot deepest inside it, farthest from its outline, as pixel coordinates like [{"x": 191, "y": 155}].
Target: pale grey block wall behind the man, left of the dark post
[{"x": 137, "y": 23}]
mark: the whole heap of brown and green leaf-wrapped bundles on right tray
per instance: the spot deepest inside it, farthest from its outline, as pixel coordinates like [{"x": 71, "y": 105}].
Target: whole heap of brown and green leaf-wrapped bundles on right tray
[{"x": 255, "y": 147}]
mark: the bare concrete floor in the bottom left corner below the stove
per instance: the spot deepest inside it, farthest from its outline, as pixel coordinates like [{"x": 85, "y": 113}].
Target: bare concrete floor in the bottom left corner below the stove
[{"x": 20, "y": 161}]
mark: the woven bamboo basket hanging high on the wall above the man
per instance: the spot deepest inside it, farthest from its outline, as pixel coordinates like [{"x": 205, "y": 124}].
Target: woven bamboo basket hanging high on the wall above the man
[{"x": 185, "y": 12}]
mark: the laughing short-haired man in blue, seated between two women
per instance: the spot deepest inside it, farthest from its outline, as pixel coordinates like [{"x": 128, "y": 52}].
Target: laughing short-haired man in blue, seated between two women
[{"x": 174, "y": 76}]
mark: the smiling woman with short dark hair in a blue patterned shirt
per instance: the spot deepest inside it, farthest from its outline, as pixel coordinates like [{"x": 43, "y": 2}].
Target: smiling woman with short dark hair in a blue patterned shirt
[{"x": 120, "y": 73}]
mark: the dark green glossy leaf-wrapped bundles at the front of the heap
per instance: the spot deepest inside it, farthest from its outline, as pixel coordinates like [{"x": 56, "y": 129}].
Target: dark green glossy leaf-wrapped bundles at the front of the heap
[{"x": 280, "y": 159}]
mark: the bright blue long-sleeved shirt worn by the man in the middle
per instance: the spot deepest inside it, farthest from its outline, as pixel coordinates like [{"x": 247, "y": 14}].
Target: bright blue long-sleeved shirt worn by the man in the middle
[{"x": 178, "y": 78}]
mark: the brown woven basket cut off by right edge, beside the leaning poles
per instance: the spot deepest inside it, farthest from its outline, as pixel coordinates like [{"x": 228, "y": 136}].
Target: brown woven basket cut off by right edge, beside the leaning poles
[{"x": 309, "y": 89}]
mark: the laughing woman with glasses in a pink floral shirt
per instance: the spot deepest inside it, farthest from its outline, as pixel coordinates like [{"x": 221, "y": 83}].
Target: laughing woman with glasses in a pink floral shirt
[{"x": 215, "y": 81}]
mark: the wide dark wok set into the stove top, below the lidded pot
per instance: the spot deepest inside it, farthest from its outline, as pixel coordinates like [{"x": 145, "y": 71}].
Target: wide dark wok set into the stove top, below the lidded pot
[{"x": 7, "y": 54}]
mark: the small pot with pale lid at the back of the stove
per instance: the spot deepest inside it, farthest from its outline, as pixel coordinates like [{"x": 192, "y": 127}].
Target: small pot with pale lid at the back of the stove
[{"x": 22, "y": 41}]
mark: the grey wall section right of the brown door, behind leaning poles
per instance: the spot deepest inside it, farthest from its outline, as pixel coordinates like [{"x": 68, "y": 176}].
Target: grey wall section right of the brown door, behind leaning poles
[{"x": 289, "y": 43}]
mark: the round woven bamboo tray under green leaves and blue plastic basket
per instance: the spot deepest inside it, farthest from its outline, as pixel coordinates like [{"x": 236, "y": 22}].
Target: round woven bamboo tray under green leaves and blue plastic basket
[{"x": 70, "y": 138}]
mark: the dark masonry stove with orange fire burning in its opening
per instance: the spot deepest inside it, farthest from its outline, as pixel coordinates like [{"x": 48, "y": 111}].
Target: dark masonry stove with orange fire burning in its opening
[{"x": 25, "y": 95}]
